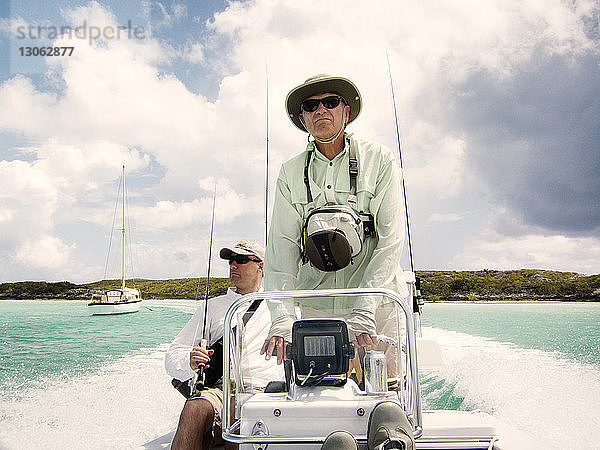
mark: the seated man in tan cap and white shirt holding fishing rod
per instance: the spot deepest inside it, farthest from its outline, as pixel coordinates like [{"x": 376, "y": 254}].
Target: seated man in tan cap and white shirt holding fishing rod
[{"x": 200, "y": 421}]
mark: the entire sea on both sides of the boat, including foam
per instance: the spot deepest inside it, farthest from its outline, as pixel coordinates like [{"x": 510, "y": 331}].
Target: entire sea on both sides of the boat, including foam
[{"x": 69, "y": 380}]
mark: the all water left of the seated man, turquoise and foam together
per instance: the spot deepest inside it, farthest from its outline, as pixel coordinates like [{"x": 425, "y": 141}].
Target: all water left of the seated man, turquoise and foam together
[{"x": 72, "y": 380}]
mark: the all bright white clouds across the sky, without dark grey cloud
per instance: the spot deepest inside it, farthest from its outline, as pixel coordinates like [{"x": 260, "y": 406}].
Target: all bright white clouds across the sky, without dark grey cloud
[{"x": 121, "y": 101}]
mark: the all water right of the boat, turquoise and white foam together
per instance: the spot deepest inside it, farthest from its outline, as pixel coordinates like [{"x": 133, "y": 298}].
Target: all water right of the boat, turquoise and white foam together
[{"x": 534, "y": 366}]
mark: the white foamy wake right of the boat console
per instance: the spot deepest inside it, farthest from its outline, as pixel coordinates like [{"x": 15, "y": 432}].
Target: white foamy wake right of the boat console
[{"x": 555, "y": 400}]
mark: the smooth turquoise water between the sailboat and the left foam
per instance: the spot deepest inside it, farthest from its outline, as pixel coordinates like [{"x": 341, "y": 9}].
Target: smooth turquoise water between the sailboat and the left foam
[{"x": 41, "y": 339}]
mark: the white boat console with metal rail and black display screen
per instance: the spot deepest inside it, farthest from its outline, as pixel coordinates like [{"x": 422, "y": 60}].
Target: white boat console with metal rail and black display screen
[{"x": 328, "y": 383}]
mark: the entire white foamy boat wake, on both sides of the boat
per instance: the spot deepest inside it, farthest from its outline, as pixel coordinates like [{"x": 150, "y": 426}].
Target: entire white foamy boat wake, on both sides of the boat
[{"x": 130, "y": 404}]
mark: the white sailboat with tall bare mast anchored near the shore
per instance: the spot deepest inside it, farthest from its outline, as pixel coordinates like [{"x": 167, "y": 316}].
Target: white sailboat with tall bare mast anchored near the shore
[{"x": 122, "y": 300}]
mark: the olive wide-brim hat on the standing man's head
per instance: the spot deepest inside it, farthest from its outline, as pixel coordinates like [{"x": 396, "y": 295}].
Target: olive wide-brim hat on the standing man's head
[{"x": 320, "y": 84}]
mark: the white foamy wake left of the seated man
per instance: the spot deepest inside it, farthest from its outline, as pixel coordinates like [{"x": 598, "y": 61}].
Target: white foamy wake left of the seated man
[{"x": 126, "y": 404}]
